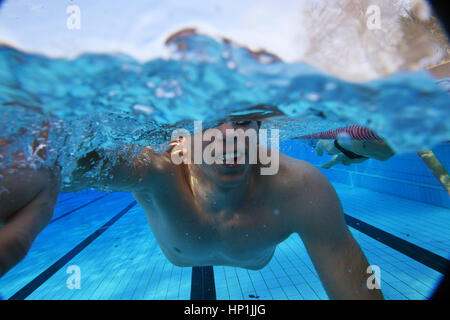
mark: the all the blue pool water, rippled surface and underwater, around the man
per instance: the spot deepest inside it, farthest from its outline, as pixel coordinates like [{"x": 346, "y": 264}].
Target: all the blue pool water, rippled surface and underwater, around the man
[{"x": 99, "y": 244}]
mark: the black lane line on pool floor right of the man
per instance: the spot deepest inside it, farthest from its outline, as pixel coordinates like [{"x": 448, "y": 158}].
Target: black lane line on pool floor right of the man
[{"x": 426, "y": 257}]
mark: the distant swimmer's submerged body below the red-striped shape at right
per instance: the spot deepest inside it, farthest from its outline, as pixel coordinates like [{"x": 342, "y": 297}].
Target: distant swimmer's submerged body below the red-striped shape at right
[{"x": 378, "y": 150}]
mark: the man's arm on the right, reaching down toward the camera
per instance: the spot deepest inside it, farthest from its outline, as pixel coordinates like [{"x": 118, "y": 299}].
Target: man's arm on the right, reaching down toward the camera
[{"x": 337, "y": 257}]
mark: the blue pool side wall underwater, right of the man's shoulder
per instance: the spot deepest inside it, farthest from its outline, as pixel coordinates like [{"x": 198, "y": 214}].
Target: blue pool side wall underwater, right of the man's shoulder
[{"x": 404, "y": 175}]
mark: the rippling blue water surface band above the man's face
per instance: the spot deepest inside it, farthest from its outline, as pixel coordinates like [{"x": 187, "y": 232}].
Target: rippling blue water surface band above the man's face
[{"x": 104, "y": 101}]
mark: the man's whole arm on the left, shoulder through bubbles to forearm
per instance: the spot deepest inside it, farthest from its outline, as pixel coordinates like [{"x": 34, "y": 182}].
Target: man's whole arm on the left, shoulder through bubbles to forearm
[{"x": 28, "y": 195}]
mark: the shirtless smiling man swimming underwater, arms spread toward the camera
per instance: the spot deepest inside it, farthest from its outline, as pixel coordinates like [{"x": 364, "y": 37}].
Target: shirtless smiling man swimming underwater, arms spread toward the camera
[{"x": 212, "y": 214}]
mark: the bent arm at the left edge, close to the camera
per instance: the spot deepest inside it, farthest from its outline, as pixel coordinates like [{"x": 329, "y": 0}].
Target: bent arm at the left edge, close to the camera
[{"x": 27, "y": 200}]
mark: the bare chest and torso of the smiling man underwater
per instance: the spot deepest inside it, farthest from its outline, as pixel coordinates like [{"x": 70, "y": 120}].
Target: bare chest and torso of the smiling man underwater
[{"x": 191, "y": 236}]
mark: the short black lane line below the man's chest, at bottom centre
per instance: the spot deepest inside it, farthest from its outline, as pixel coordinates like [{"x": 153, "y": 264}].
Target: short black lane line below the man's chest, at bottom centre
[{"x": 202, "y": 283}]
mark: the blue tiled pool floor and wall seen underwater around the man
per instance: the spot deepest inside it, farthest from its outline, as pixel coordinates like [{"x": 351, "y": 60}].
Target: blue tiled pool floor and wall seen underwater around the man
[{"x": 396, "y": 210}]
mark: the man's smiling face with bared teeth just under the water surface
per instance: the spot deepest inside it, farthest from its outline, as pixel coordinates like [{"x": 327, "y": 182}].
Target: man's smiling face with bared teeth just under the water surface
[{"x": 230, "y": 173}]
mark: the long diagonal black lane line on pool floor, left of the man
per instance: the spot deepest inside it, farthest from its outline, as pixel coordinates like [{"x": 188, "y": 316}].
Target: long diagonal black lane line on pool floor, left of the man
[{"x": 50, "y": 271}]
